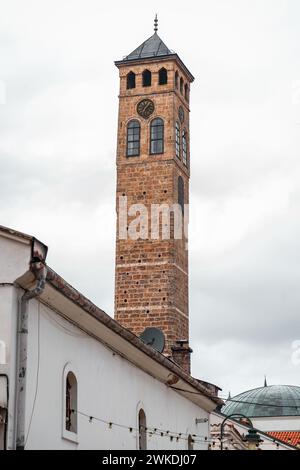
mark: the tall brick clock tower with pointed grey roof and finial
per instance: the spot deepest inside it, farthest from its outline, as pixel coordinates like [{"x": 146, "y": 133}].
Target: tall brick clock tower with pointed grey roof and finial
[{"x": 153, "y": 170}]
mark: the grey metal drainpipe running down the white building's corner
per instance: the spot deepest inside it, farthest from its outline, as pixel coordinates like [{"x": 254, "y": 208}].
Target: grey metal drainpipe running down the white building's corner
[{"x": 40, "y": 272}]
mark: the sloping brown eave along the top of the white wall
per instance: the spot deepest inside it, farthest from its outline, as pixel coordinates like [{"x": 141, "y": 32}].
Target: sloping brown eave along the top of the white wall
[{"x": 187, "y": 384}]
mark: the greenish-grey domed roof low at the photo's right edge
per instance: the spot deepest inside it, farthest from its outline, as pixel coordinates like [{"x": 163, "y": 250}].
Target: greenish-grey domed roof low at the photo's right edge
[{"x": 272, "y": 400}]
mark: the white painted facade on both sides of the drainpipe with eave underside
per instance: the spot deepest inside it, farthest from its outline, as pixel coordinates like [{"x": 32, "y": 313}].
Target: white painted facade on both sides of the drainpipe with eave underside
[{"x": 115, "y": 379}]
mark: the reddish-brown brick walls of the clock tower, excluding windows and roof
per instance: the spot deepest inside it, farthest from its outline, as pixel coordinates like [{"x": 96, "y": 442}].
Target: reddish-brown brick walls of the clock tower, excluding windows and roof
[{"x": 152, "y": 275}]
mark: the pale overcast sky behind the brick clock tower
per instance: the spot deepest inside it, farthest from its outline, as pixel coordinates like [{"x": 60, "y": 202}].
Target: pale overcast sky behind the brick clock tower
[{"x": 57, "y": 153}]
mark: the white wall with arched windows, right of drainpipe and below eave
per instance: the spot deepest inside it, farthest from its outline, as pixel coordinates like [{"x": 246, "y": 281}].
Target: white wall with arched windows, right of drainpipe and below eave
[{"x": 109, "y": 387}]
